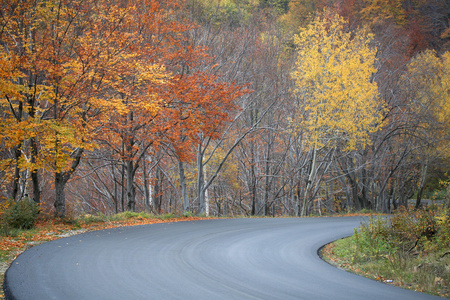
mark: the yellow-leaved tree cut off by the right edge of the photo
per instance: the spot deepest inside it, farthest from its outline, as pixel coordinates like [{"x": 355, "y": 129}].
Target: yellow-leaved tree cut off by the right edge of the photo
[{"x": 427, "y": 90}]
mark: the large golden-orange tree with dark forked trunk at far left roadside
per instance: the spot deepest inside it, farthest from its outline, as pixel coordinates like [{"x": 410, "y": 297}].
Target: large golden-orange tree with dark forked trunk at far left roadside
[{"x": 75, "y": 61}]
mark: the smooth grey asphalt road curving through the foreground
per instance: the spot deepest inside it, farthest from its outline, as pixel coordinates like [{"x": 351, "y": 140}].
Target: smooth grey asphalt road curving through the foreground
[{"x": 211, "y": 259}]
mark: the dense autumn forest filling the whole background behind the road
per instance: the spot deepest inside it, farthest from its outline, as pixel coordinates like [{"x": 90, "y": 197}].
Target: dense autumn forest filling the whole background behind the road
[{"x": 224, "y": 107}]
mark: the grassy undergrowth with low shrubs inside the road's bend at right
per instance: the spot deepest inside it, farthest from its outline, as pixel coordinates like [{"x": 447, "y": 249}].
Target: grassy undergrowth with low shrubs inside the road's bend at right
[{"x": 411, "y": 249}]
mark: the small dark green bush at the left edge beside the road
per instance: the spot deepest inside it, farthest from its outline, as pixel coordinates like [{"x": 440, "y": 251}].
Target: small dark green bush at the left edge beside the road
[{"x": 20, "y": 215}]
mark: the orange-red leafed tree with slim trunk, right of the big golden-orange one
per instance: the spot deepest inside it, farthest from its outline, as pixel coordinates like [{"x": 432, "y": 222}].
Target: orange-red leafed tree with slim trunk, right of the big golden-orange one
[{"x": 190, "y": 100}]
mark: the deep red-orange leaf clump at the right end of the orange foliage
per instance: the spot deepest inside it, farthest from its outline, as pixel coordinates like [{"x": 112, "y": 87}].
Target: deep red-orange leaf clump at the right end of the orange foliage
[{"x": 203, "y": 106}]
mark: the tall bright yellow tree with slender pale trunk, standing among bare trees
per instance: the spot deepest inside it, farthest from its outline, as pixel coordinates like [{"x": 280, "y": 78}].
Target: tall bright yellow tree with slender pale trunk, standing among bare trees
[{"x": 333, "y": 82}]
